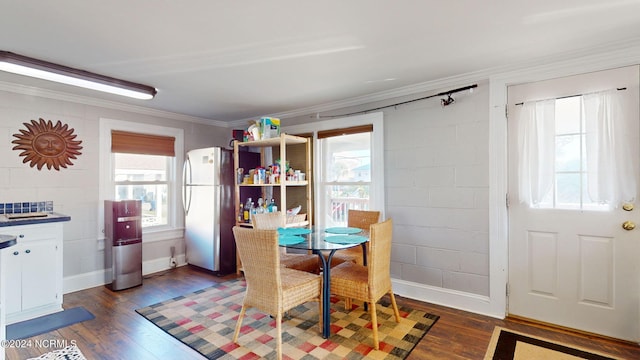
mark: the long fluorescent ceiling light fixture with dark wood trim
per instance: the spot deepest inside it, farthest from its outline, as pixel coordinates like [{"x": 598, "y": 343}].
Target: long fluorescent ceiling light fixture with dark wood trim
[{"x": 40, "y": 69}]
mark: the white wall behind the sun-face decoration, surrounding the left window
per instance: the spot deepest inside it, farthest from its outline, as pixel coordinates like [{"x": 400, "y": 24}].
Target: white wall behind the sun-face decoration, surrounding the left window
[{"x": 74, "y": 190}]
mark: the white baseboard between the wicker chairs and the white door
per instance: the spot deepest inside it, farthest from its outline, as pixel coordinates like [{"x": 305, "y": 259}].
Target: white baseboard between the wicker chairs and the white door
[{"x": 446, "y": 297}]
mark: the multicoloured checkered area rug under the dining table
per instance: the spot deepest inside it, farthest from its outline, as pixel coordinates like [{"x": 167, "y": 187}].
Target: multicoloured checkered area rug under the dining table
[{"x": 205, "y": 321}]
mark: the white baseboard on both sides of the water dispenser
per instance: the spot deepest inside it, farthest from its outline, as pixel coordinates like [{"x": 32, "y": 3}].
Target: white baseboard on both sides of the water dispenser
[{"x": 99, "y": 277}]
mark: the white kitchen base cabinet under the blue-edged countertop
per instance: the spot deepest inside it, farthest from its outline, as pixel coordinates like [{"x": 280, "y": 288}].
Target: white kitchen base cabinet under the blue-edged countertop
[{"x": 32, "y": 271}]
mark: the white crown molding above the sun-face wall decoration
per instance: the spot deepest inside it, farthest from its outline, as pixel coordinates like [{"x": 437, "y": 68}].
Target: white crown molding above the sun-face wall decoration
[{"x": 85, "y": 100}]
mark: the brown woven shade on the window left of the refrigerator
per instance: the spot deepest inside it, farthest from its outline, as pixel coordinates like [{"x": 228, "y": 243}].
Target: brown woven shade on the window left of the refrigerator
[{"x": 135, "y": 143}]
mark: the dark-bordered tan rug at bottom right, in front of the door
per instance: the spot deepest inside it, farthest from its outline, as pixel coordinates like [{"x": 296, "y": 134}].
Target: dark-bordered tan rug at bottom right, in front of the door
[{"x": 511, "y": 345}]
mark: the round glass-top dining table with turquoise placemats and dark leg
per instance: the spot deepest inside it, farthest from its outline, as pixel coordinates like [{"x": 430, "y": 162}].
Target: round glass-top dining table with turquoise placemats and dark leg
[{"x": 324, "y": 242}]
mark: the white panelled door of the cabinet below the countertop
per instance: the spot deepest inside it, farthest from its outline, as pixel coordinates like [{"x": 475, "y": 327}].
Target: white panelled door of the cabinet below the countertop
[{"x": 39, "y": 273}]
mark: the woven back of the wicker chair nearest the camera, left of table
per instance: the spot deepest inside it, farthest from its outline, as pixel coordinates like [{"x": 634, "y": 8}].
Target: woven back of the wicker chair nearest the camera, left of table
[{"x": 258, "y": 250}]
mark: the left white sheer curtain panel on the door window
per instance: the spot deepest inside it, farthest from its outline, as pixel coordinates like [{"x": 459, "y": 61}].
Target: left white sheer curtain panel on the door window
[{"x": 536, "y": 150}]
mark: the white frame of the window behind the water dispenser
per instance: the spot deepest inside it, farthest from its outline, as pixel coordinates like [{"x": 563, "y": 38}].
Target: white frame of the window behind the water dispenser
[{"x": 107, "y": 183}]
